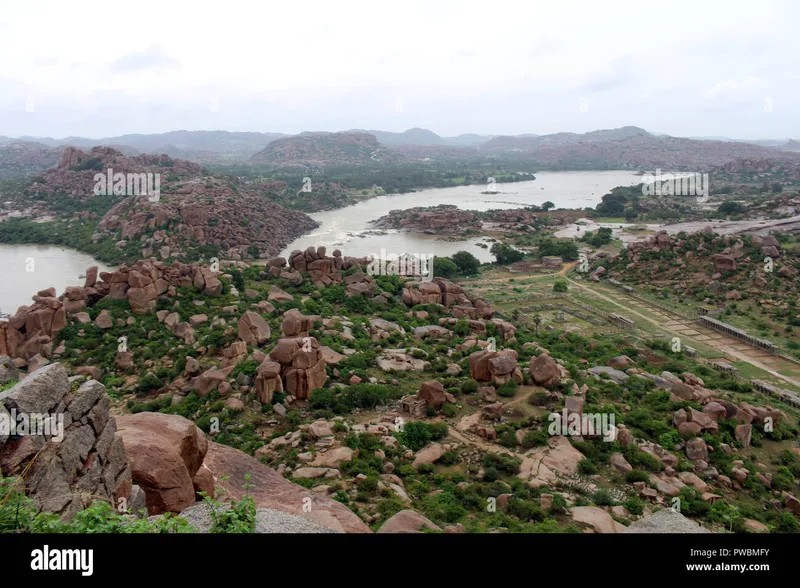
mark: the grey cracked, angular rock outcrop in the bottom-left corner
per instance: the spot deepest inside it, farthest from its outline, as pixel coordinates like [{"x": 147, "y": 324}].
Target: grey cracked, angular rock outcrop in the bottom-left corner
[{"x": 77, "y": 455}]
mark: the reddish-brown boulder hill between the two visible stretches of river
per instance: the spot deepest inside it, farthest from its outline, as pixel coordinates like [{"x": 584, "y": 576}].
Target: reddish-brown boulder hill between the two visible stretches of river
[{"x": 193, "y": 215}]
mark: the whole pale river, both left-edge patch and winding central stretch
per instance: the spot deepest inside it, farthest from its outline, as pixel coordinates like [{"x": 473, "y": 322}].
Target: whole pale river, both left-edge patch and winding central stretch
[{"x": 347, "y": 228}]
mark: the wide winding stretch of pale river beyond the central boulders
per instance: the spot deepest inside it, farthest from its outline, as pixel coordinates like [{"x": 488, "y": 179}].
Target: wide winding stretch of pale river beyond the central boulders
[{"x": 350, "y": 230}]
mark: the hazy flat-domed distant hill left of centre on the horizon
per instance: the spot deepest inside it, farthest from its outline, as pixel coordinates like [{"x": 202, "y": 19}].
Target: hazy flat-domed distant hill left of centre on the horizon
[{"x": 316, "y": 149}]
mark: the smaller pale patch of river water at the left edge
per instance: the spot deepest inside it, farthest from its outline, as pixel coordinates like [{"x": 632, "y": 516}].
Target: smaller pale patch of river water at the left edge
[{"x": 30, "y": 268}]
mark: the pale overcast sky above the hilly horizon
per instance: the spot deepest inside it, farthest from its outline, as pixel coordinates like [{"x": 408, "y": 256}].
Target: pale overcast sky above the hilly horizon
[{"x": 101, "y": 68}]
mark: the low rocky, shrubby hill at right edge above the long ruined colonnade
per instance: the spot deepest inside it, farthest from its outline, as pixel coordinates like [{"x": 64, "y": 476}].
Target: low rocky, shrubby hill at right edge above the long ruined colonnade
[{"x": 746, "y": 280}]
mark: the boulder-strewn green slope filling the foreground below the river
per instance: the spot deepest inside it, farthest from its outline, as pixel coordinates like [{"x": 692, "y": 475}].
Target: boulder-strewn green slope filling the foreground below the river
[{"x": 384, "y": 403}]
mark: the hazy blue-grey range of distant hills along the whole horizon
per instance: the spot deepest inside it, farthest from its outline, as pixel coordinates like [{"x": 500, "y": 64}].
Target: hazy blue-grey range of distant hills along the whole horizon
[{"x": 627, "y": 147}]
